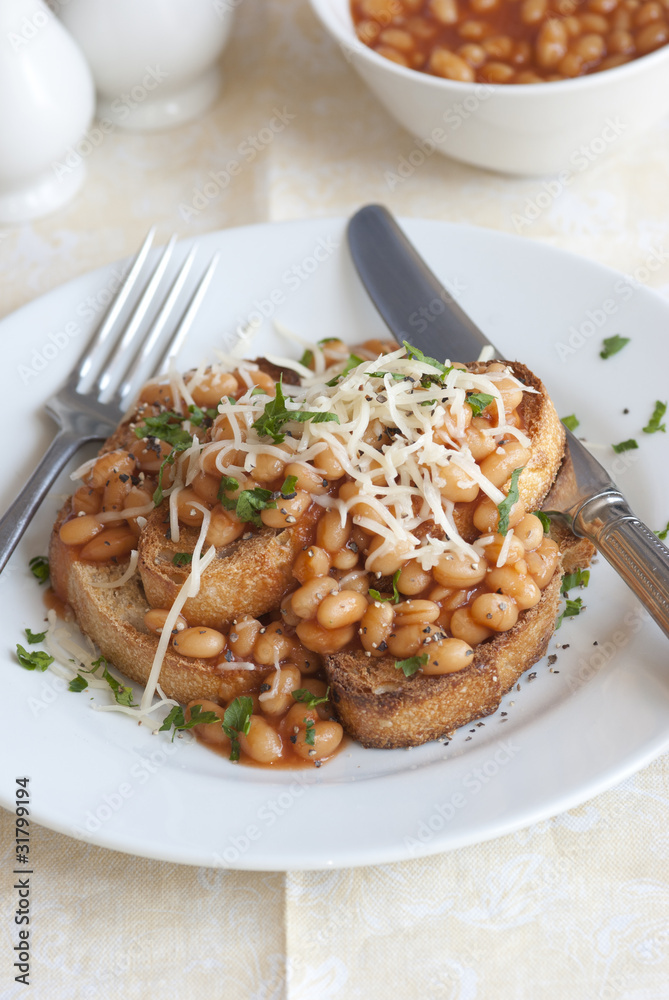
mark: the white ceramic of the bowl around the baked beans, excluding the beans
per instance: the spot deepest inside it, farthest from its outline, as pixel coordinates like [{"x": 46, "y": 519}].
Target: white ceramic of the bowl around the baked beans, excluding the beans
[{"x": 530, "y": 129}]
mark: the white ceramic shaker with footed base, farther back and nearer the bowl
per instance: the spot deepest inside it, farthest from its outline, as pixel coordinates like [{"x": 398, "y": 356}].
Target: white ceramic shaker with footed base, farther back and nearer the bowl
[{"x": 154, "y": 61}]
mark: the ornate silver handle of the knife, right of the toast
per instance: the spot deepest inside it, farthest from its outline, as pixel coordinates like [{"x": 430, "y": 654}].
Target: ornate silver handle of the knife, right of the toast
[{"x": 635, "y": 553}]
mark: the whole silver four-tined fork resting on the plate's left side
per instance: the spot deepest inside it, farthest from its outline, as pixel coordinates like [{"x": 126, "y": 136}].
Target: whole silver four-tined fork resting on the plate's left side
[{"x": 121, "y": 352}]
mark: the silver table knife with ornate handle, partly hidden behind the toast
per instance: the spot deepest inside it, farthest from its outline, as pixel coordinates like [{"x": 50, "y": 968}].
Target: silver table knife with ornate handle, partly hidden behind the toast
[{"x": 400, "y": 285}]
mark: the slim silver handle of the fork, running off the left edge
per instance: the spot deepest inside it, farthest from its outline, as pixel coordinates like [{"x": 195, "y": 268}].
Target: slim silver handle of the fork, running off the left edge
[{"x": 23, "y": 509}]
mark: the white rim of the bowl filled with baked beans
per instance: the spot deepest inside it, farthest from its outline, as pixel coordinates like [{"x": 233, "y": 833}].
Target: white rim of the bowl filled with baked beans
[{"x": 324, "y": 10}]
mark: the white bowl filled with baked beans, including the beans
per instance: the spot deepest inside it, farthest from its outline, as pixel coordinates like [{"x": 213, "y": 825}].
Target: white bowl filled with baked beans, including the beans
[{"x": 517, "y": 86}]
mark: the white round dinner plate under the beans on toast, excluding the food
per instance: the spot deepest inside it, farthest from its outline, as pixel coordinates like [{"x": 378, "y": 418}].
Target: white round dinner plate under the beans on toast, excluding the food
[{"x": 567, "y": 735}]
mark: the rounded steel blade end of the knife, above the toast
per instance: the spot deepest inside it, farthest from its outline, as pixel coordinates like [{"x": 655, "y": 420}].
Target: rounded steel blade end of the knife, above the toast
[{"x": 406, "y": 292}]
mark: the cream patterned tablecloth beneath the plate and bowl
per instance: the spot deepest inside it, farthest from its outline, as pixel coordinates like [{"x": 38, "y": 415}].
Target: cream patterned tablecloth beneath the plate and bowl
[{"x": 572, "y": 907}]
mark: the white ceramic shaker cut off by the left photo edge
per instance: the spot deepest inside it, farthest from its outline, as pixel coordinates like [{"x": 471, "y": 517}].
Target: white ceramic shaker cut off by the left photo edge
[{"x": 47, "y": 99}]
